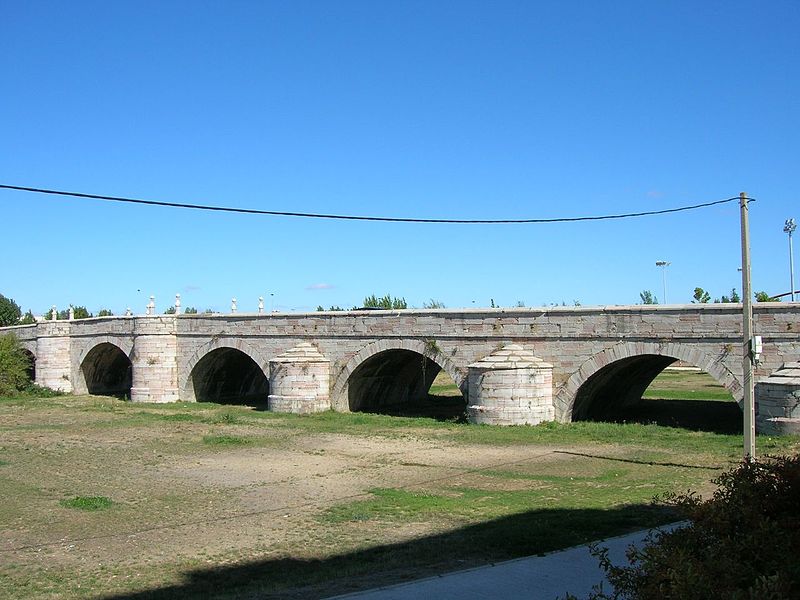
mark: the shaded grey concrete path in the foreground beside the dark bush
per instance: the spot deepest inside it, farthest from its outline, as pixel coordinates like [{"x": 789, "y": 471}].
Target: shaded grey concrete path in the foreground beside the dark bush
[{"x": 546, "y": 577}]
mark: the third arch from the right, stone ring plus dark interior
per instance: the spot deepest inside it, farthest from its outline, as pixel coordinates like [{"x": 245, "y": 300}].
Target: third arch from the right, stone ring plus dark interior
[{"x": 233, "y": 366}]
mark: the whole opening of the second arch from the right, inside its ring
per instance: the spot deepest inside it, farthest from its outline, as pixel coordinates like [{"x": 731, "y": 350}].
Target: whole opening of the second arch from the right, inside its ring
[{"x": 405, "y": 383}]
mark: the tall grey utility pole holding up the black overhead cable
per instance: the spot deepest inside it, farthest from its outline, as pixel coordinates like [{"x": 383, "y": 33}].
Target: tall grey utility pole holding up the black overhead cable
[{"x": 747, "y": 328}]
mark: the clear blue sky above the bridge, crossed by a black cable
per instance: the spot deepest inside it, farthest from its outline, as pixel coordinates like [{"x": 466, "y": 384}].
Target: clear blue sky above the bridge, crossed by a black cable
[{"x": 410, "y": 109}]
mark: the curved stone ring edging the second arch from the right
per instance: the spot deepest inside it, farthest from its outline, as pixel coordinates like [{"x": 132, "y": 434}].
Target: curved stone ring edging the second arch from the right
[{"x": 339, "y": 389}]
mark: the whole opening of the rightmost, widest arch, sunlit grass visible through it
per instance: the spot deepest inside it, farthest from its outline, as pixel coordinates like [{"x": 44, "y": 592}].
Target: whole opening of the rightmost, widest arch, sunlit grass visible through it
[{"x": 654, "y": 389}]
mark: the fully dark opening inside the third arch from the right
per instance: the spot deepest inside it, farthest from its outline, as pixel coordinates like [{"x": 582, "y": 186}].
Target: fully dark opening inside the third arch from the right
[{"x": 229, "y": 376}]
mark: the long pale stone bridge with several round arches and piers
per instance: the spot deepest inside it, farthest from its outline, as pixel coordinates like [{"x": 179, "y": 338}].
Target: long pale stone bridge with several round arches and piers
[{"x": 512, "y": 365}]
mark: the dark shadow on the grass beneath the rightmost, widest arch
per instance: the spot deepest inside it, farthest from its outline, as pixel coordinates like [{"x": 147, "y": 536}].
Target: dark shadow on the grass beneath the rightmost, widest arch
[{"x": 695, "y": 415}]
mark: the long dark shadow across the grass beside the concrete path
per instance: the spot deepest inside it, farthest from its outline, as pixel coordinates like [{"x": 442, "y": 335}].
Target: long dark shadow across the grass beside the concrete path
[{"x": 529, "y": 533}]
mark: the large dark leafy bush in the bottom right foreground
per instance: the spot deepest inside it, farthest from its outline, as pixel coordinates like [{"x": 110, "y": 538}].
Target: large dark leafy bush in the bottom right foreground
[{"x": 742, "y": 543}]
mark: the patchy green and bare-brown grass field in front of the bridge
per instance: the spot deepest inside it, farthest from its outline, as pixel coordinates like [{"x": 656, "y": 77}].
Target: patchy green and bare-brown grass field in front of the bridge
[{"x": 182, "y": 469}]
